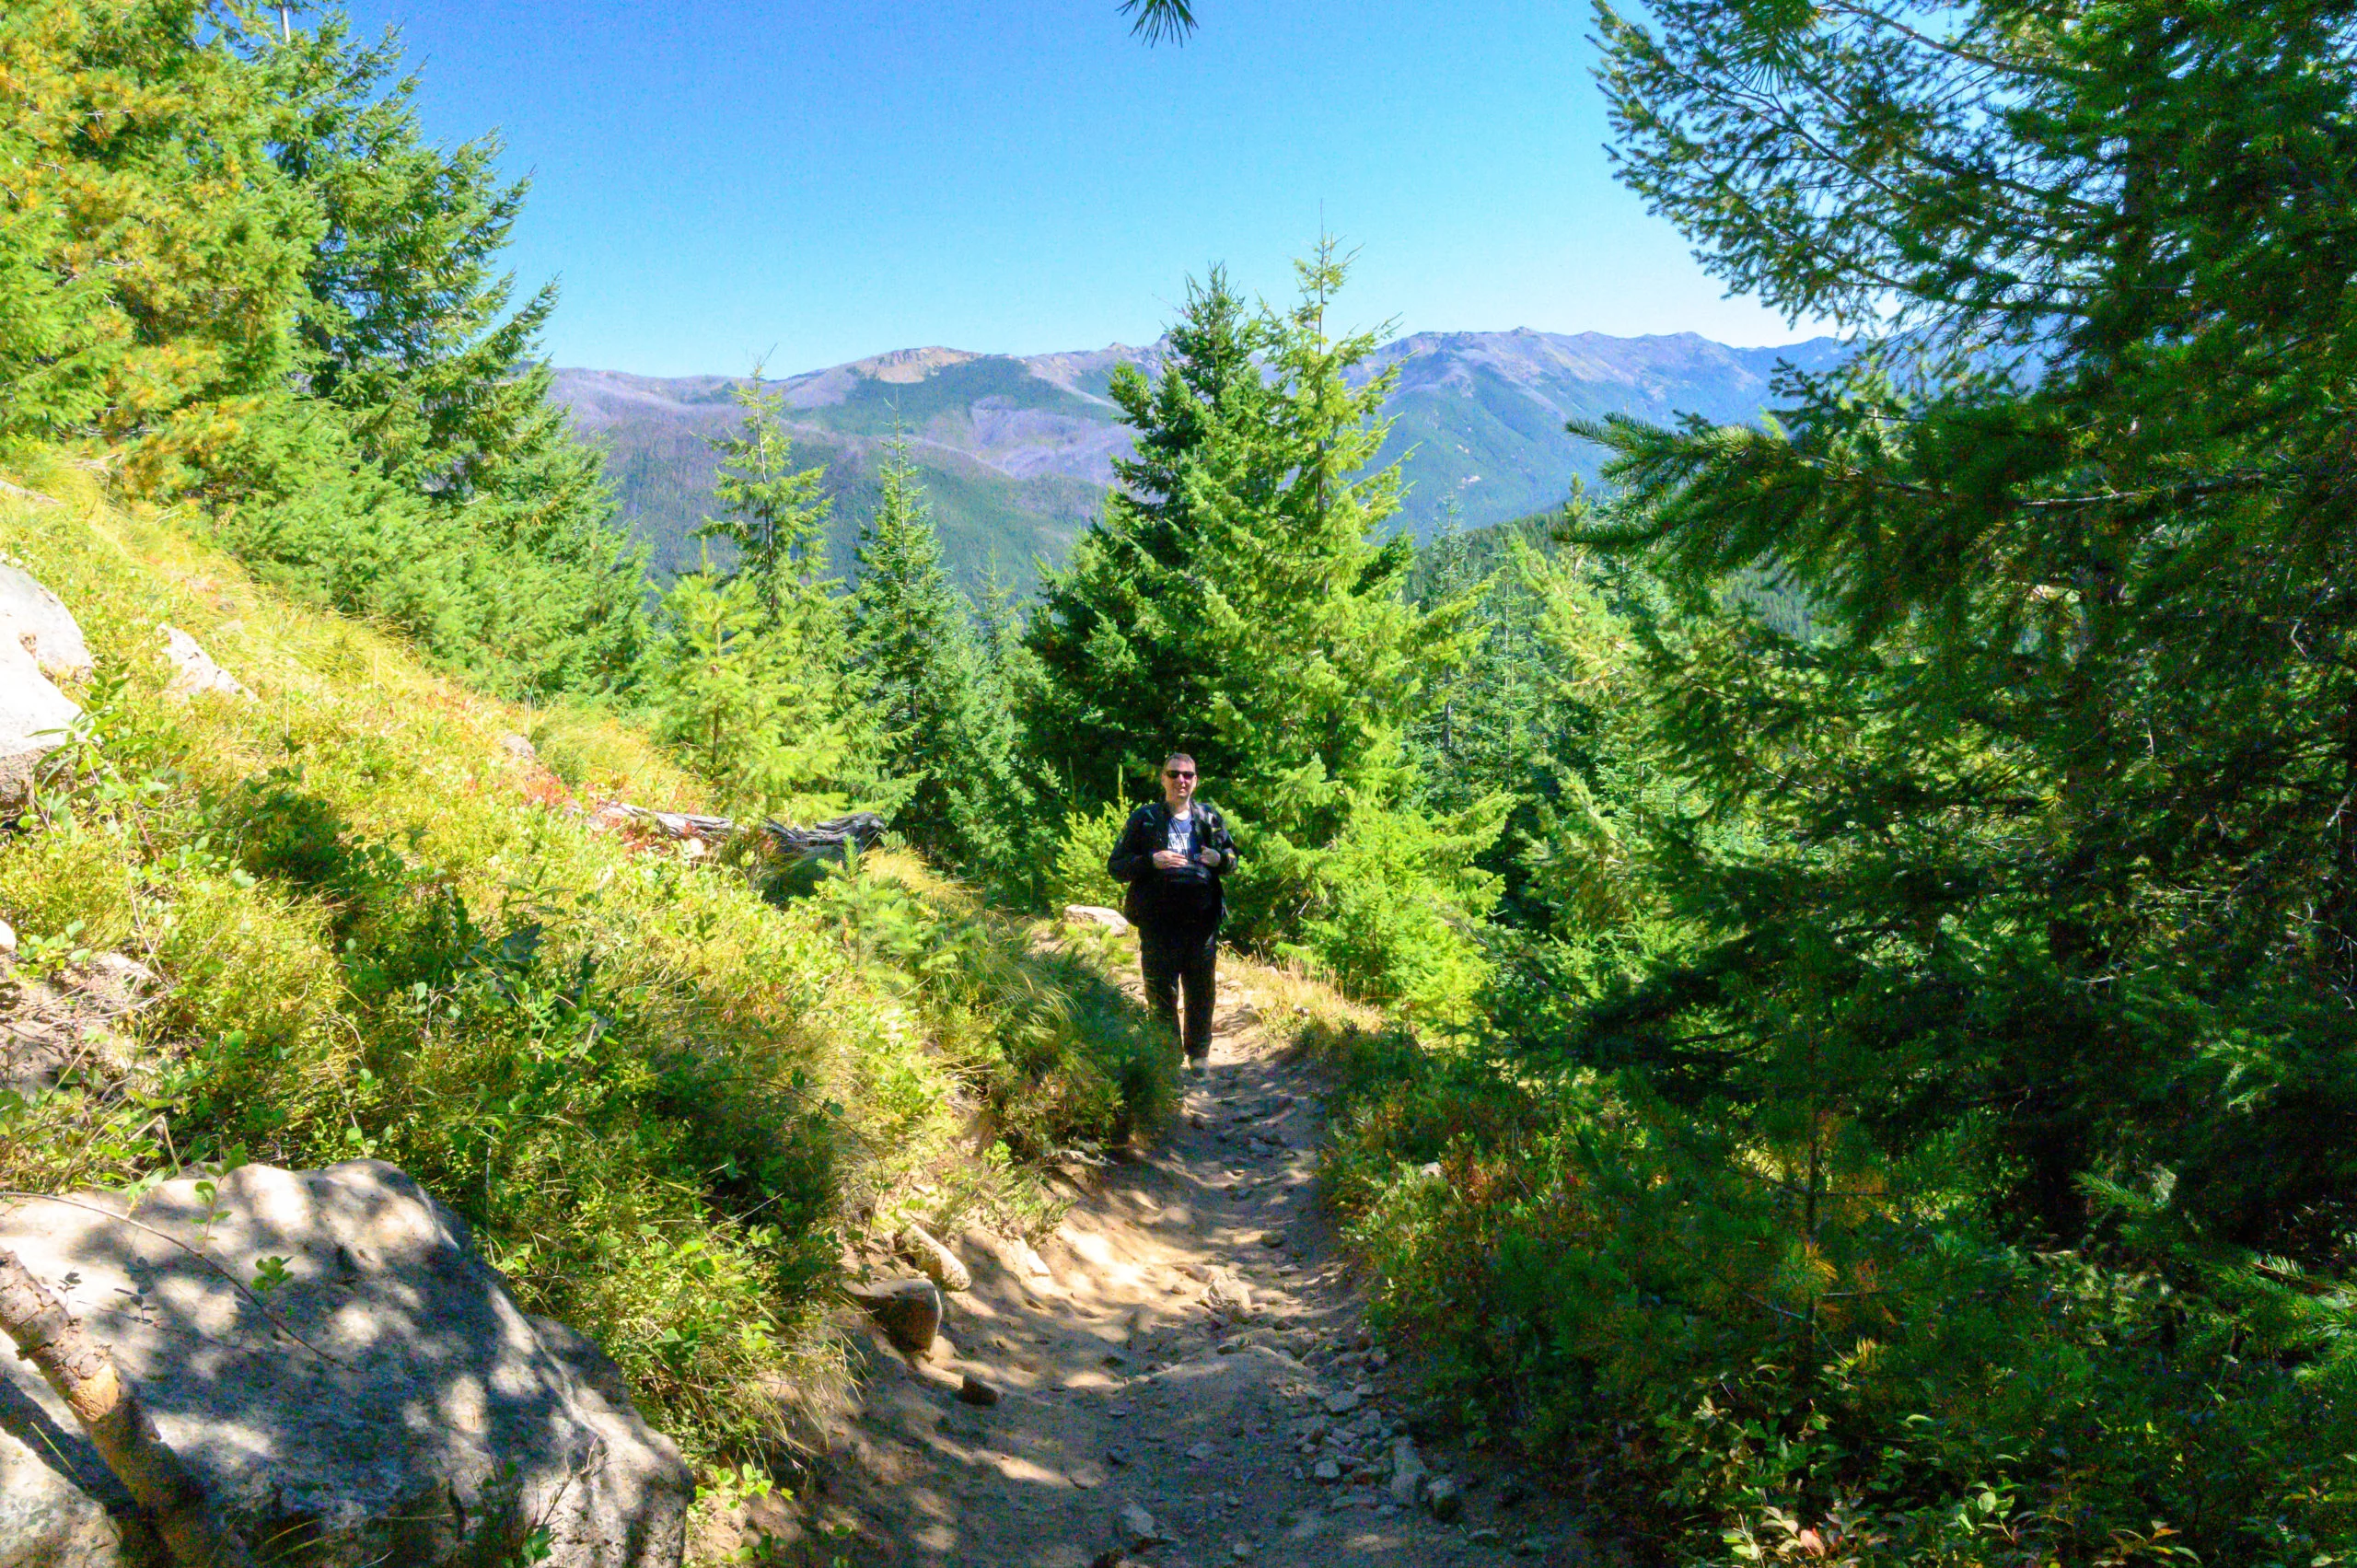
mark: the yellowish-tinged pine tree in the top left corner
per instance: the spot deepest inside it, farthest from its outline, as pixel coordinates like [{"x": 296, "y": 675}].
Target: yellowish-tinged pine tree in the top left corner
[{"x": 154, "y": 256}]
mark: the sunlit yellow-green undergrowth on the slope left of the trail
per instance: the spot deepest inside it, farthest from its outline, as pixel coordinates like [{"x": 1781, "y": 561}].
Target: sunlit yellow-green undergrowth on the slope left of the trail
[{"x": 661, "y": 1100}]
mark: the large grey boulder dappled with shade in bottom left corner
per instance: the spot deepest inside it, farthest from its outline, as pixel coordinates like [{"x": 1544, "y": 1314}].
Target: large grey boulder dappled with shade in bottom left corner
[{"x": 385, "y": 1406}]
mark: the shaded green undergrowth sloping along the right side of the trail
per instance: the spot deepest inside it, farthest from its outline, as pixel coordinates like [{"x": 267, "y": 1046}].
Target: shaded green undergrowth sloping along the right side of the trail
[{"x": 1788, "y": 1352}]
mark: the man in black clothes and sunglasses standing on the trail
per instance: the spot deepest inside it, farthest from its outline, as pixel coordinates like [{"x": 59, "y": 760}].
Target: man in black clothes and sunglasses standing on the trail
[{"x": 1173, "y": 857}]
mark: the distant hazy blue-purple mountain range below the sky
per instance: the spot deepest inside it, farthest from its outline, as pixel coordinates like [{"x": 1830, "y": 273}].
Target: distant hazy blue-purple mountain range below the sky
[{"x": 1017, "y": 452}]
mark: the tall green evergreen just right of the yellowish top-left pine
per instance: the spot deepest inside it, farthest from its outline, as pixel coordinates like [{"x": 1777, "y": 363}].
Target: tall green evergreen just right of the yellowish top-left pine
[{"x": 421, "y": 374}]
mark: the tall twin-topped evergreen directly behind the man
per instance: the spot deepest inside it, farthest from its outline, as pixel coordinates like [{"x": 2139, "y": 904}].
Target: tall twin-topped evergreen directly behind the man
[{"x": 1239, "y": 600}]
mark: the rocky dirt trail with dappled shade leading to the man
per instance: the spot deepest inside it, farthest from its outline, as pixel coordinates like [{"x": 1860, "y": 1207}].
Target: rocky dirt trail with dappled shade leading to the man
[{"x": 1191, "y": 1345}]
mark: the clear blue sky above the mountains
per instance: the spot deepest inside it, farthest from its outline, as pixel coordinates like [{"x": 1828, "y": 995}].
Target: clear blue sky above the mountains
[{"x": 821, "y": 180}]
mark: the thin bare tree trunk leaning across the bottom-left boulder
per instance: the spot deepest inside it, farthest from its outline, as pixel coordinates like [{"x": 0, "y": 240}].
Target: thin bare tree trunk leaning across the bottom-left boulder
[{"x": 119, "y": 1428}]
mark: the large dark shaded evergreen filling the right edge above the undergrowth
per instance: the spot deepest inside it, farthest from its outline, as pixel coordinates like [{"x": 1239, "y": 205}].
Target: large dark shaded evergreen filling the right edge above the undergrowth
[{"x": 2054, "y": 791}]
